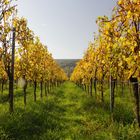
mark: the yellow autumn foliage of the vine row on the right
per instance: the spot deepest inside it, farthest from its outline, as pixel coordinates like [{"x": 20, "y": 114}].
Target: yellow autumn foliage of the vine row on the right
[{"x": 115, "y": 51}]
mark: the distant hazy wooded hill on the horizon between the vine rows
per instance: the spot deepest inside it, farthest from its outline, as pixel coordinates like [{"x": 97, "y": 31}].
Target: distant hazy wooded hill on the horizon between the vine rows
[{"x": 67, "y": 64}]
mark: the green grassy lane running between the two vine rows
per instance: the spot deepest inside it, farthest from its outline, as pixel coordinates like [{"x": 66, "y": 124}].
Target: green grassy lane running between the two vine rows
[{"x": 66, "y": 113}]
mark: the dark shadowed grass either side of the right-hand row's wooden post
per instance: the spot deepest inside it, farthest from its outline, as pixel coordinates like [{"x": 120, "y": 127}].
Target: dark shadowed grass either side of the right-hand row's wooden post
[{"x": 121, "y": 114}]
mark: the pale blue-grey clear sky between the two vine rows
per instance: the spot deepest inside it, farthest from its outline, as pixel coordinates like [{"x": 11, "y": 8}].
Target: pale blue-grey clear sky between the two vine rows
[{"x": 65, "y": 26}]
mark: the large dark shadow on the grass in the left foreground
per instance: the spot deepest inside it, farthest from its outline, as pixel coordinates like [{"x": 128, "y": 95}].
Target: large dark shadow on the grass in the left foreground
[{"x": 38, "y": 121}]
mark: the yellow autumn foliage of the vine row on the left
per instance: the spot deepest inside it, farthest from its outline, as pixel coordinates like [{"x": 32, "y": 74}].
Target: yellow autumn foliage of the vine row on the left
[{"x": 32, "y": 59}]
